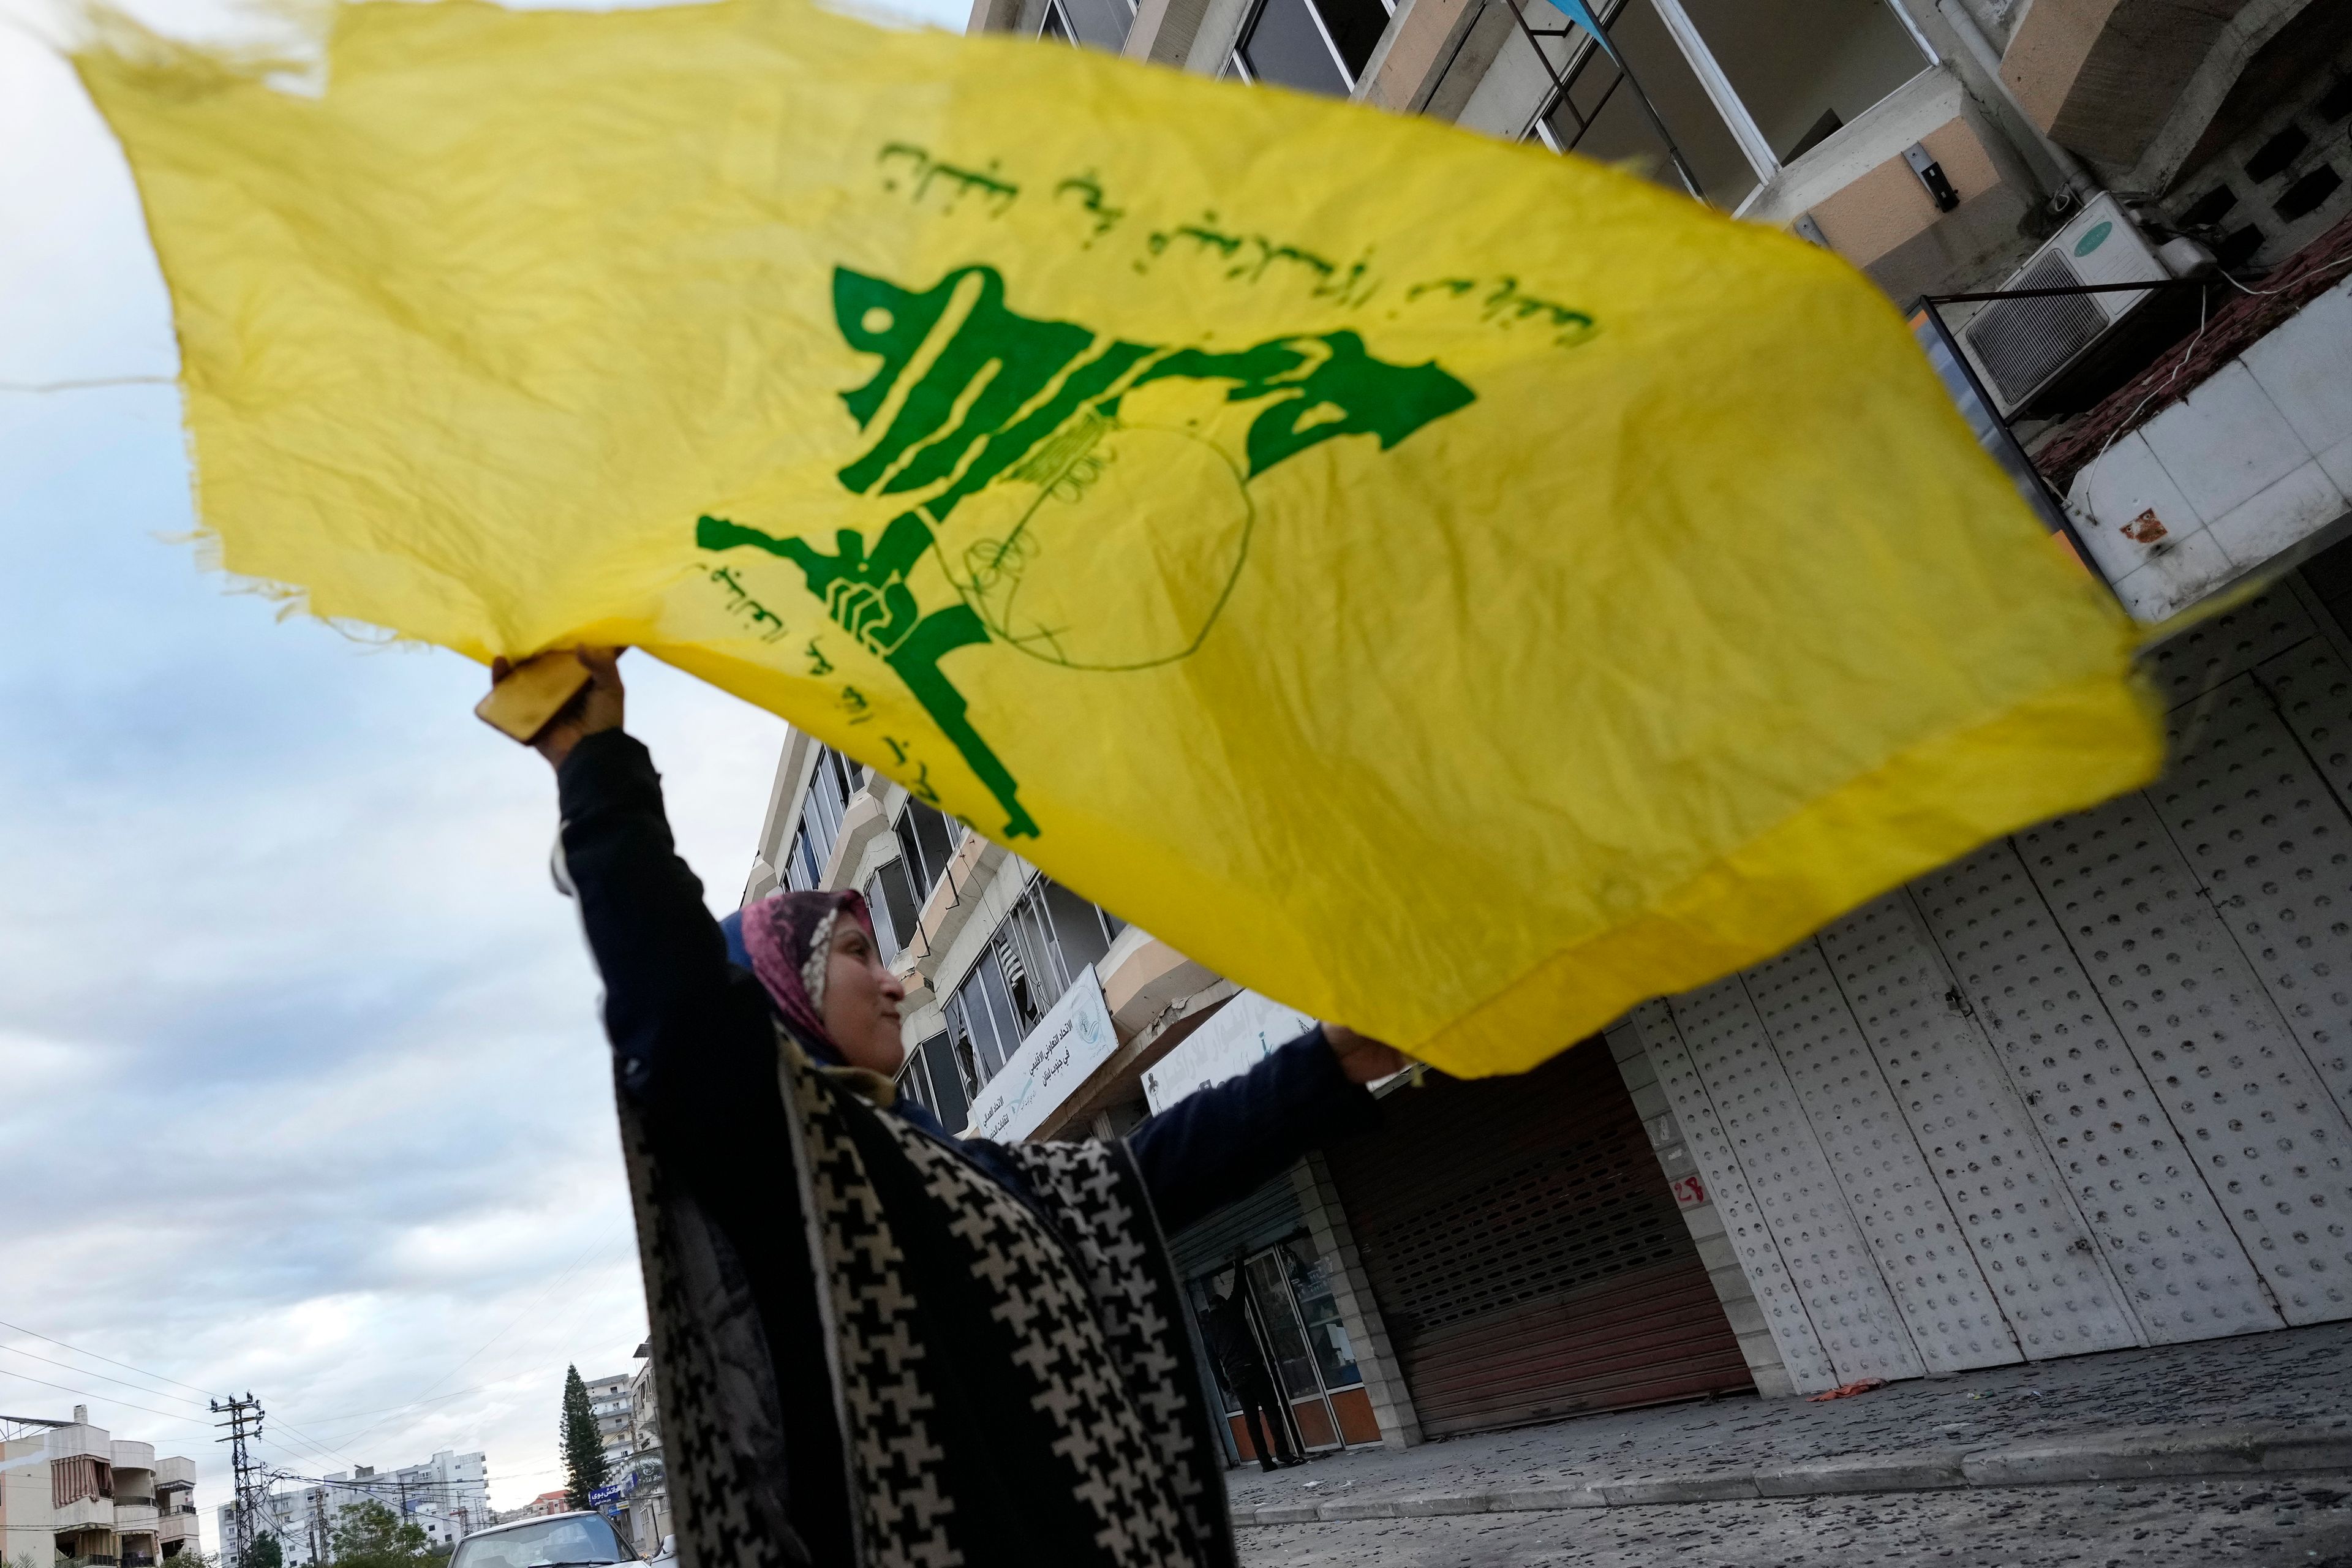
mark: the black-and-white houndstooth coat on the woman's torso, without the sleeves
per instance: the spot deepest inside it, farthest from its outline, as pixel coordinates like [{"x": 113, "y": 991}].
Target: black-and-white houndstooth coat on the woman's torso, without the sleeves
[{"x": 916, "y": 1367}]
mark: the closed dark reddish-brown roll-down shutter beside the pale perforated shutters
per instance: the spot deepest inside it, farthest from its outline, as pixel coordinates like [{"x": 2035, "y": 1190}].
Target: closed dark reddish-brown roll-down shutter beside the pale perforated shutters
[{"x": 1528, "y": 1254}]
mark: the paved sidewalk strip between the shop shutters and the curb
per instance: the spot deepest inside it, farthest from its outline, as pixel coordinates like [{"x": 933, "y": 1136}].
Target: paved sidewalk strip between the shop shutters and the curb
[{"x": 2297, "y": 1376}]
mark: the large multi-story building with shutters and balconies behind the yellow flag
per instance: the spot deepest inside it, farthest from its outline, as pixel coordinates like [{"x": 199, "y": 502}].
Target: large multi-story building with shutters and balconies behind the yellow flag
[{"x": 2083, "y": 1090}]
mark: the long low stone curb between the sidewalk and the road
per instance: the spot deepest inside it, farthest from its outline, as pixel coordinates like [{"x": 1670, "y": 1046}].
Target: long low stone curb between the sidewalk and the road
[{"x": 2094, "y": 1456}]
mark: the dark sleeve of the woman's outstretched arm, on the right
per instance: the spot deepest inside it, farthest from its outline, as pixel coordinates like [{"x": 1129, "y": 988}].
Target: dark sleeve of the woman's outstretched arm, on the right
[{"x": 1220, "y": 1144}]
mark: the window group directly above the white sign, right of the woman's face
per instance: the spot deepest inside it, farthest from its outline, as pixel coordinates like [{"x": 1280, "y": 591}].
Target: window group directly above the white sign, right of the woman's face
[{"x": 1031, "y": 960}]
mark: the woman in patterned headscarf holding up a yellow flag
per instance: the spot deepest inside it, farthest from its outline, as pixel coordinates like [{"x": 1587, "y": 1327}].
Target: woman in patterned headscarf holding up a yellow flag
[{"x": 878, "y": 1343}]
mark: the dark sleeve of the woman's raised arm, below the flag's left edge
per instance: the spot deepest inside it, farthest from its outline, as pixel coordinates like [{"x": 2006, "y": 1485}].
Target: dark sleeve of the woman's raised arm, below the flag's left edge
[{"x": 671, "y": 998}]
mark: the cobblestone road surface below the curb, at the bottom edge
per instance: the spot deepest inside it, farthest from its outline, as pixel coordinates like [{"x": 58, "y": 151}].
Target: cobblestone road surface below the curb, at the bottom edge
[{"x": 2040, "y": 1527}]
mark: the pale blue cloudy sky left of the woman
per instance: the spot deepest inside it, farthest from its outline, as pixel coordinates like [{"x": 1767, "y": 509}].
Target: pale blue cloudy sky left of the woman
[{"x": 302, "y": 1087}]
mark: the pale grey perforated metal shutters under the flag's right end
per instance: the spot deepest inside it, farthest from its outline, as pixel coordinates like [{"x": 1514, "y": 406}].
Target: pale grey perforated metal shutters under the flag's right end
[{"x": 2085, "y": 1087}]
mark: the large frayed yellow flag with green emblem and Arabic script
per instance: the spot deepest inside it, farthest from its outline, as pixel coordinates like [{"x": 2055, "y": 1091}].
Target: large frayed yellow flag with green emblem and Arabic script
[{"x": 1452, "y": 589}]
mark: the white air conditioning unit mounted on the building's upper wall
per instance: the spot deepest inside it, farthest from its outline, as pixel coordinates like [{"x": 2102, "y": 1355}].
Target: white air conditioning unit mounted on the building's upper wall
[{"x": 2019, "y": 347}]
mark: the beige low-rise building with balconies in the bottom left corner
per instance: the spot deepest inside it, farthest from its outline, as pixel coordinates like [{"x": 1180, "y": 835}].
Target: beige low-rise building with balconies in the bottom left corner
[{"x": 74, "y": 1494}]
